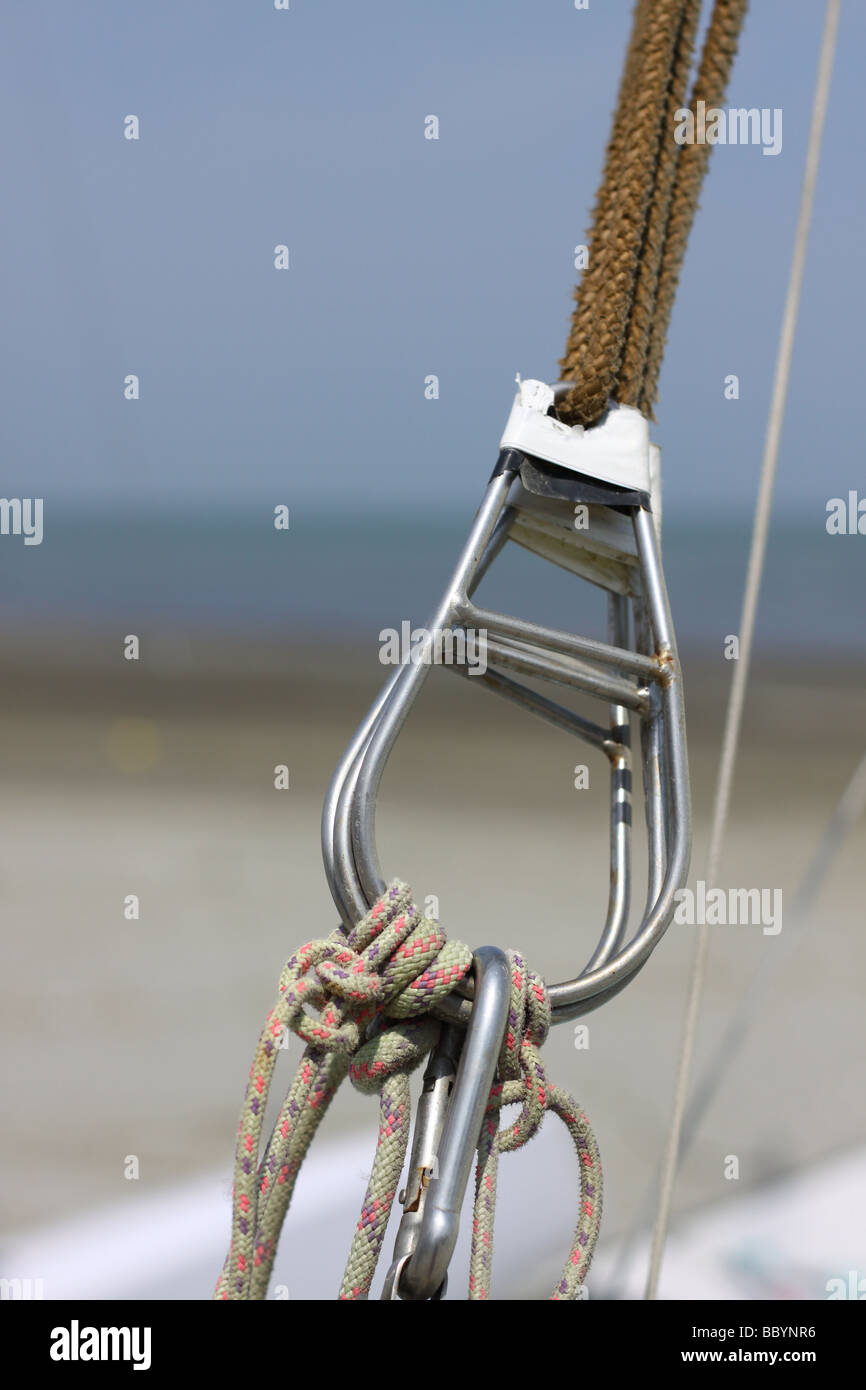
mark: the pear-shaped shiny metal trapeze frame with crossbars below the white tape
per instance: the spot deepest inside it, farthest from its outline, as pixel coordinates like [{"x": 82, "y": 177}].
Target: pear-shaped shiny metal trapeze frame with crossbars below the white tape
[{"x": 639, "y": 678}]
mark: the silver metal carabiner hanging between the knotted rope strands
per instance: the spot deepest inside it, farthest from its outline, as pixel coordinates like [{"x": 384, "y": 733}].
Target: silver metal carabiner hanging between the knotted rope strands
[{"x": 457, "y": 1088}]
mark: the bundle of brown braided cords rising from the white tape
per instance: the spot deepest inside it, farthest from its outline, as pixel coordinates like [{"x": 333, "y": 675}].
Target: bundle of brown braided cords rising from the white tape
[{"x": 644, "y": 209}]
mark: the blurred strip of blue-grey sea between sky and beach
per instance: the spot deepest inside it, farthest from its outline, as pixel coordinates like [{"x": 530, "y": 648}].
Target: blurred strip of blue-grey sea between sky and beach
[{"x": 352, "y": 576}]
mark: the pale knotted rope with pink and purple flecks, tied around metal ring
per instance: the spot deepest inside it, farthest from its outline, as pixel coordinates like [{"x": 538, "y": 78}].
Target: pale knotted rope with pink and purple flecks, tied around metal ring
[{"x": 375, "y": 990}]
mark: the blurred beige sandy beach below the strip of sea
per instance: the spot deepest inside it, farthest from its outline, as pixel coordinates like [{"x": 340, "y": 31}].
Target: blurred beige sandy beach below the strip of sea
[{"x": 133, "y": 1038}]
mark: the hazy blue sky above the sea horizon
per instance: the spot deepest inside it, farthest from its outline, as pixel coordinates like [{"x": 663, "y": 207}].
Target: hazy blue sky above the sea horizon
[{"x": 409, "y": 256}]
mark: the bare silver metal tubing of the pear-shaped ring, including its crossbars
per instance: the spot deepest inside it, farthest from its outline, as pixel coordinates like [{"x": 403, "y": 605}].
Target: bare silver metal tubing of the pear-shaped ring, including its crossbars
[{"x": 348, "y": 822}]
